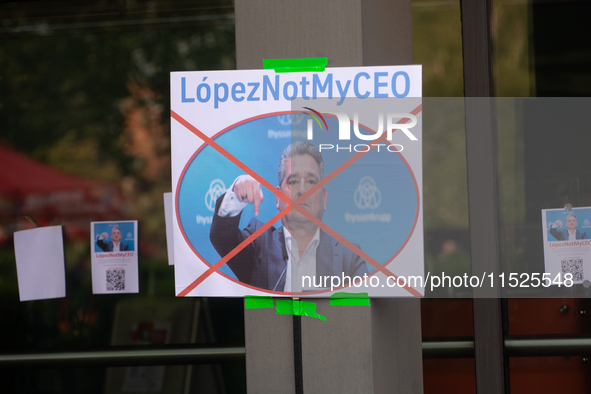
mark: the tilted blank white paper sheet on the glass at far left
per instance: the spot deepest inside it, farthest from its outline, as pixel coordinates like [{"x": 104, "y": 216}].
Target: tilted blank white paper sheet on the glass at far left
[{"x": 40, "y": 264}]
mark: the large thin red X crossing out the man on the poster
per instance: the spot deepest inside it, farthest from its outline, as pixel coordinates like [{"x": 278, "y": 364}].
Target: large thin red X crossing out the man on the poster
[{"x": 295, "y": 204}]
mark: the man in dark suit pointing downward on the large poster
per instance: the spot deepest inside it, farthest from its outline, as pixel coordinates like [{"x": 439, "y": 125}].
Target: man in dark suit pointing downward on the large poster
[{"x": 279, "y": 258}]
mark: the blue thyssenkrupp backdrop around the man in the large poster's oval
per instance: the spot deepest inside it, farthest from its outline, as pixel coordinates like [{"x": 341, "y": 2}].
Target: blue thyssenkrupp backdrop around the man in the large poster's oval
[{"x": 255, "y": 146}]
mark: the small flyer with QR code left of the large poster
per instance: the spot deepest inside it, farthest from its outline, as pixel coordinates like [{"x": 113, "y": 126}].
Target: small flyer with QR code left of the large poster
[{"x": 114, "y": 259}]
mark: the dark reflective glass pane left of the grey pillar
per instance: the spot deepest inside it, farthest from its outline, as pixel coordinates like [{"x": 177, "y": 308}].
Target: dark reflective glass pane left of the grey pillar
[{"x": 84, "y": 114}]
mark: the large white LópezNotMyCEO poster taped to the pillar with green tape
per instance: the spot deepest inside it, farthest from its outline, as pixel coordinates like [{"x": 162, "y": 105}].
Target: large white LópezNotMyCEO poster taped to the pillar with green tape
[{"x": 227, "y": 124}]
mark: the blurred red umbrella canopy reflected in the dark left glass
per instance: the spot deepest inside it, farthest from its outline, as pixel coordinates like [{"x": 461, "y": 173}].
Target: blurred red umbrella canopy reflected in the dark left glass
[{"x": 30, "y": 188}]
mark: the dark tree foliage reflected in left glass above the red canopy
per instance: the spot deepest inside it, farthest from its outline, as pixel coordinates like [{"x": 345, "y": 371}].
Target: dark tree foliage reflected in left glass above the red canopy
[{"x": 96, "y": 105}]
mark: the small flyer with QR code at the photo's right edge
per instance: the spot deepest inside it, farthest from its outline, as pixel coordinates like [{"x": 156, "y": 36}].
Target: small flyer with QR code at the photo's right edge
[{"x": 567, "y": 243}]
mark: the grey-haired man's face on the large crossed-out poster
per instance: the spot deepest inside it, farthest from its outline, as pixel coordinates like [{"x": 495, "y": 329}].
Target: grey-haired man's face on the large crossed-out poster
[{"x": 301, "y": 173}]
